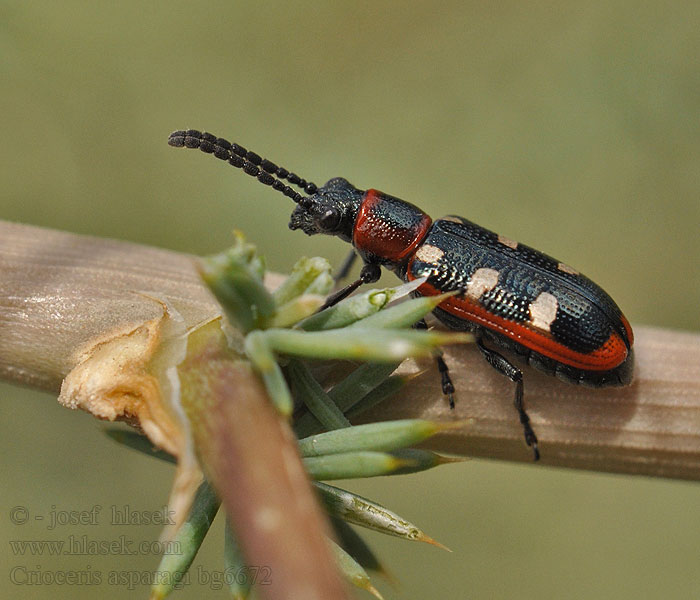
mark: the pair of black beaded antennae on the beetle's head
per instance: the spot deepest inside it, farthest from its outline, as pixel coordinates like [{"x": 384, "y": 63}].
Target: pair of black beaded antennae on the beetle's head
[{"x": 265, "y": 171}]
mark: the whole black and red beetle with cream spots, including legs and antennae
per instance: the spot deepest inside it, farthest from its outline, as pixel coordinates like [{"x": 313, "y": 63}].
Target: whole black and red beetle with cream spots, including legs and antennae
[{"x": 514, "y": 297}]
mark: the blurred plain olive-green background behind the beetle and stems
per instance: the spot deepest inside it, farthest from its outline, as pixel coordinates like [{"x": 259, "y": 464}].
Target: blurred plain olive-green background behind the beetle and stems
[{"x": 573, "y": 127}]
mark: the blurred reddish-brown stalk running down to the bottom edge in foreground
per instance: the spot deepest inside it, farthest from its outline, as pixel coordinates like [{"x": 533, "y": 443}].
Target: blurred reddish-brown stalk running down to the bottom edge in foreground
[{"x": 251, "y": 456}]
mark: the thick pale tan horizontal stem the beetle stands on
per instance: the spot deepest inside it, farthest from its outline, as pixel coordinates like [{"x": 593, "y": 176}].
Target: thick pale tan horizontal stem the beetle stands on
[{"x": 58, "y": 291}]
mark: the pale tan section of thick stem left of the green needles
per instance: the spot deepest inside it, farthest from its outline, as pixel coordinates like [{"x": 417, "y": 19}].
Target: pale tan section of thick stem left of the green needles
[{"x": 61, "y": 294}]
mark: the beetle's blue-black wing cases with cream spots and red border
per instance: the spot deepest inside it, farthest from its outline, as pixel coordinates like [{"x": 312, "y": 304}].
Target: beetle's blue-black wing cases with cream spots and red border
[{"x": 557, "y": 319}]
